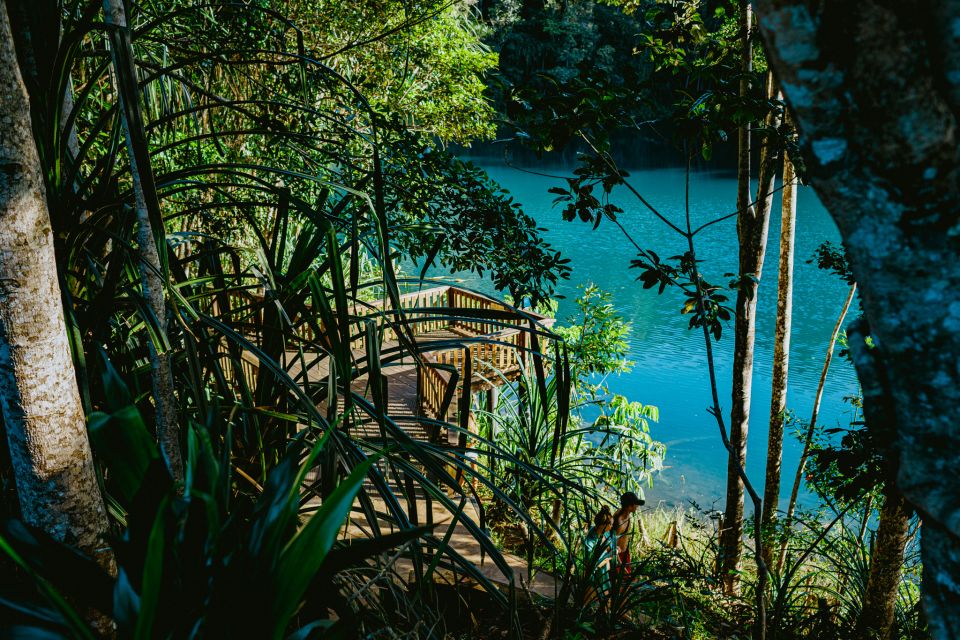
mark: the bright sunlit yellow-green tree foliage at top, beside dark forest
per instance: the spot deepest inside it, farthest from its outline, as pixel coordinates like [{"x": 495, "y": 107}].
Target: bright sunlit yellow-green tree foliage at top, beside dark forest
[{"x": 424, "y": 62}]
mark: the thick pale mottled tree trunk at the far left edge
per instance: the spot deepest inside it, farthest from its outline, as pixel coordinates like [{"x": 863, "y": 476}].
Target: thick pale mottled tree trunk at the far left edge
[{"x": 44, "y": 421}]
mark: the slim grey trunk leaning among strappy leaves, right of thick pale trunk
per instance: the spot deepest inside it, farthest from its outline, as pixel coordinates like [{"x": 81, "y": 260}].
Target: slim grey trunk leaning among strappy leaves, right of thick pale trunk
[{"x": 161, "y": 371}]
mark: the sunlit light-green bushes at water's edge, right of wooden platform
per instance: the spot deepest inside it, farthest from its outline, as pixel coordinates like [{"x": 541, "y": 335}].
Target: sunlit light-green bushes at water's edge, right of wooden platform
[{"x": 572, "y": 427}]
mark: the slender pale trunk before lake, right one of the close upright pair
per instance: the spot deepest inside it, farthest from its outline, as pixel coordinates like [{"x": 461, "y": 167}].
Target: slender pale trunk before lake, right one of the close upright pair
[{"x": 781, "y": 354}]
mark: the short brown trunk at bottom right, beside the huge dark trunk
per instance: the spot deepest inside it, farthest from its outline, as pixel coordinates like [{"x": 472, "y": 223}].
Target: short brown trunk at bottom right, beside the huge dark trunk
[{"x": 877, "y": 616}]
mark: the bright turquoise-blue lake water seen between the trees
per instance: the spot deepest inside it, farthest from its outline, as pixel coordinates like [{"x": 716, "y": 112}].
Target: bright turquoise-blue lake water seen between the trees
[{"x": 670, "y": 365}]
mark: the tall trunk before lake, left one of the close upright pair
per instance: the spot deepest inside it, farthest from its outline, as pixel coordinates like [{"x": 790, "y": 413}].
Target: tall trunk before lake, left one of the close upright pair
[{"x": 753, "y": 224}]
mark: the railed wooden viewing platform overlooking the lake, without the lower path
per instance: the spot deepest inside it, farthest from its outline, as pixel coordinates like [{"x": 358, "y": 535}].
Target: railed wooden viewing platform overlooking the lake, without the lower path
[{"x": 451, "y": 334}]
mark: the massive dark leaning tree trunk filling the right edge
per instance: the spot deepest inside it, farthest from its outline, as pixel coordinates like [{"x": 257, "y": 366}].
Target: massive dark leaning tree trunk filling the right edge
[{"x": 875, "y": 90}]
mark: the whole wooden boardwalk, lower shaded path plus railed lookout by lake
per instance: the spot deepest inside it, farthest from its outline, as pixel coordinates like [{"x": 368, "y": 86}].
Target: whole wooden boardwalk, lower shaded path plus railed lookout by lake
[{"x": 415, "y": 392}]
